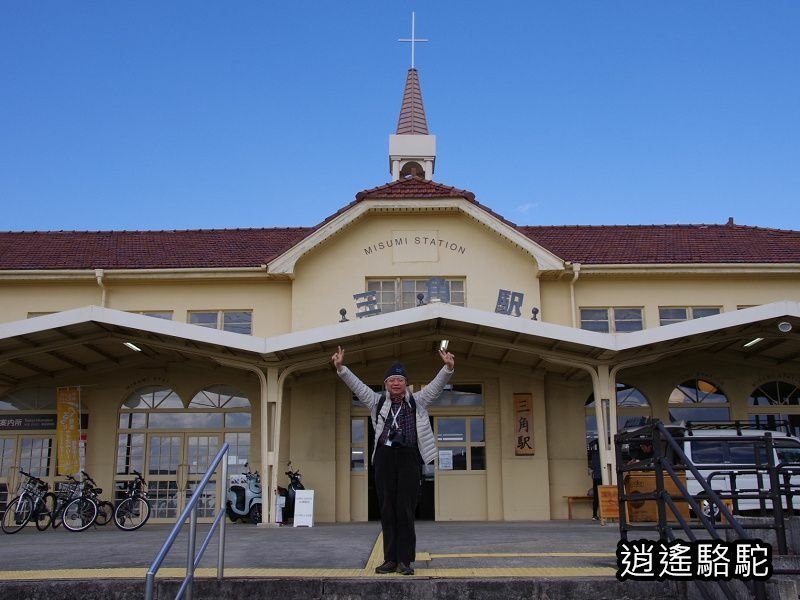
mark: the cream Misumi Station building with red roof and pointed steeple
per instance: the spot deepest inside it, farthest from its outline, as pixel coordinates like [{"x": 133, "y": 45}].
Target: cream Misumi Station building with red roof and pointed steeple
[{"x": 181, "y": 340}]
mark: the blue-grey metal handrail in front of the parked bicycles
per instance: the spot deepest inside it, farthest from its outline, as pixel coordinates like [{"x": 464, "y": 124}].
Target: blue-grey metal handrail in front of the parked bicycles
[{"x": 190, "y": 512}]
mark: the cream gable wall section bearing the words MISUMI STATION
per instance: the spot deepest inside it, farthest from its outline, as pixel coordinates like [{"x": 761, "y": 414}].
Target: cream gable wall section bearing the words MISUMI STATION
[{"x": 328, "y": 276}]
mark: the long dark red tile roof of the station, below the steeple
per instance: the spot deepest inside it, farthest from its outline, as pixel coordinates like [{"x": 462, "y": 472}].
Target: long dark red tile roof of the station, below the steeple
[{"x": 229, "y": 248}]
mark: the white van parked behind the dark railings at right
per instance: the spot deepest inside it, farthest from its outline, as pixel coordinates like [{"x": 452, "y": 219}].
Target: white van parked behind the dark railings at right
[{"x": 737, "y": 456}]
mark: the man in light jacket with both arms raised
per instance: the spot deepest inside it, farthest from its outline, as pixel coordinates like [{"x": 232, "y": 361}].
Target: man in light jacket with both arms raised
[{"x": 403, "y": 441}]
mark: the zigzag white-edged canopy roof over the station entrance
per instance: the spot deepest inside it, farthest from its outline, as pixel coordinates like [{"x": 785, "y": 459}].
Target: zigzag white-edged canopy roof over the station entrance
[{"x": 67, "y": 347}]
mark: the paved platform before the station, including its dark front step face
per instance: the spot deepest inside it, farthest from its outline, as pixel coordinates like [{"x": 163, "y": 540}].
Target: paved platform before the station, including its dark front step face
[{"x": 532, "y": 560}]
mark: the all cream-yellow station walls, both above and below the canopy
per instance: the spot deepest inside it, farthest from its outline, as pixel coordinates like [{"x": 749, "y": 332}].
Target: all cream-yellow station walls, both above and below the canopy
[{"x": 315, "y": 424}]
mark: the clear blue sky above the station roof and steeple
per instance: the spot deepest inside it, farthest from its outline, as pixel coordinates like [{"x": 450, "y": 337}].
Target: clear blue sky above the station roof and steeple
[{"x": 181, "y": 115}]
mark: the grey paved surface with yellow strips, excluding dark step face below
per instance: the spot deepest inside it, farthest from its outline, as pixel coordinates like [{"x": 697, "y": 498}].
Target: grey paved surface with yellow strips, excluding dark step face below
[{"x": 547, "y": 548}]
